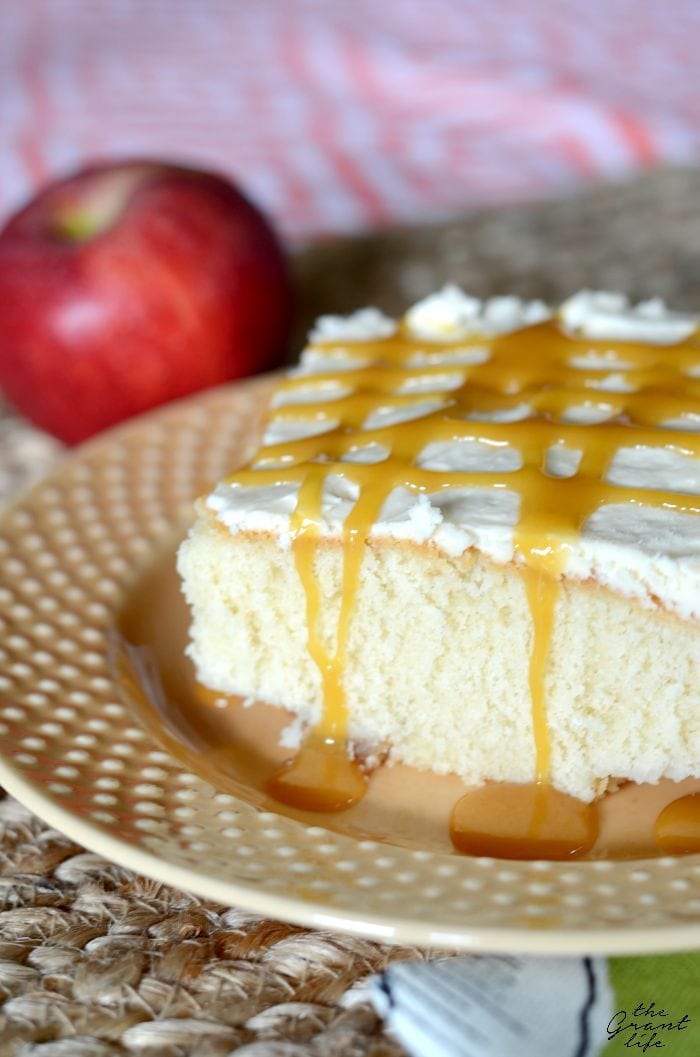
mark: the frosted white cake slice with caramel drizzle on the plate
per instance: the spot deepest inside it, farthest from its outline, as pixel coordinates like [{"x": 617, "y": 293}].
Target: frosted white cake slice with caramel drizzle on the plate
[{"x": 470, "y": 541}]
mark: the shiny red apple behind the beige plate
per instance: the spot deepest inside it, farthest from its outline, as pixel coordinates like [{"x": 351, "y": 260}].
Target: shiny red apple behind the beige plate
[{"x": 134, "y": 284}]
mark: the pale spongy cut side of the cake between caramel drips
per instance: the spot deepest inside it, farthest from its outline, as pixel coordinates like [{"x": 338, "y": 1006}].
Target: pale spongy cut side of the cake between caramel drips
[{"x": 438, "y": 660}]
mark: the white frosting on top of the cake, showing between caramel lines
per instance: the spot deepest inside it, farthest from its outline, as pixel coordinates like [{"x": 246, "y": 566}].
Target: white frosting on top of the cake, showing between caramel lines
[{"x": 646, "y": 553}]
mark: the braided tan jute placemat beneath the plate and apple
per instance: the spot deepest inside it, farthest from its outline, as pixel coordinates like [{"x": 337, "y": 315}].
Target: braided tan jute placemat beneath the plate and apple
[{"x": 97, "y": 962}]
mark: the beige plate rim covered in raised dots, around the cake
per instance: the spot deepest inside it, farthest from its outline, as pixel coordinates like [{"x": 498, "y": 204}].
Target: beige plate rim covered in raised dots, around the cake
[{"x": 76, "y": 553}]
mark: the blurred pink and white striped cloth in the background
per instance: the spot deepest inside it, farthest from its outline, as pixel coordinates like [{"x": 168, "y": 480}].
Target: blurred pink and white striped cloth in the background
[{"x": 347, "y": 115}]
